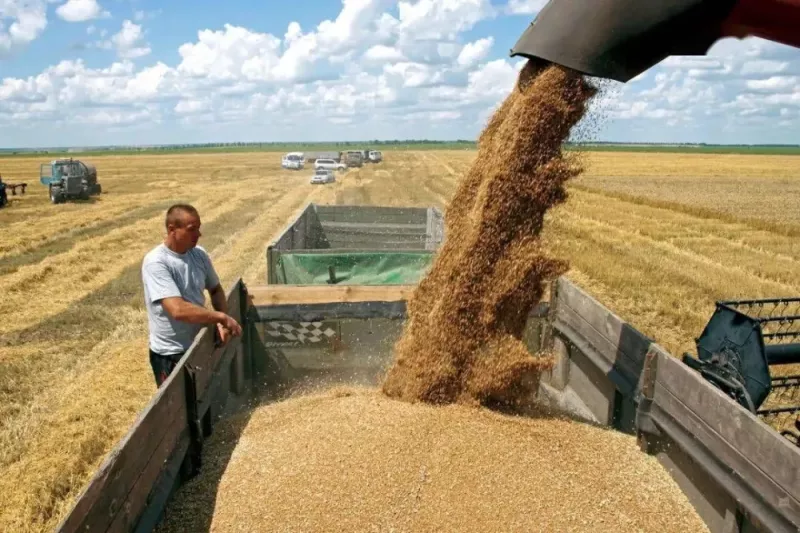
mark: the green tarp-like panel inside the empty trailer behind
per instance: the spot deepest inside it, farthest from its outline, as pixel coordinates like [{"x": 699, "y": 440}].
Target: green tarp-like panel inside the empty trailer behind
[{"x": 353, "y": 268}]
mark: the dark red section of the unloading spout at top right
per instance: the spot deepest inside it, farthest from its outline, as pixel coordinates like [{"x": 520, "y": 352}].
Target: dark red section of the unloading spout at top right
[{"x": 775, "y": 20}]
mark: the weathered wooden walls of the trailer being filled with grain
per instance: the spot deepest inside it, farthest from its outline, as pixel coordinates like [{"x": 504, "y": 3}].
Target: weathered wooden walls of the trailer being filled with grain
[{"x": 739, "y": 473}]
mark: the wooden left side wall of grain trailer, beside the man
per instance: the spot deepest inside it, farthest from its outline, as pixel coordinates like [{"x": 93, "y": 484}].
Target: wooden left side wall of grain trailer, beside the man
[{"x": 134, "y": 483}]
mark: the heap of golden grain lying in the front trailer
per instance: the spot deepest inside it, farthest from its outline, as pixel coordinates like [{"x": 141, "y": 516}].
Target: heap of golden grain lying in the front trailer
[{"x": 353, "y": 460}]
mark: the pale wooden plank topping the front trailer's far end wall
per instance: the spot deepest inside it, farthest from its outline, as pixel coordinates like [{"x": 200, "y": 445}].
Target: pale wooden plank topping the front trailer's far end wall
[{"x": 314, "y": 294}]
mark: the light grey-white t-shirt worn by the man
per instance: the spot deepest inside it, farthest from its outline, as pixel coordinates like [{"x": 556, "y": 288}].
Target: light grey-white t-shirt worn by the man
[{"x": 165, "y": 274}]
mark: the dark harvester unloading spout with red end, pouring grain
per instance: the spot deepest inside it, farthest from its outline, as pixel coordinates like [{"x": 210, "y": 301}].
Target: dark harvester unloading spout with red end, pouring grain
[{"x": 620, "y": 39}]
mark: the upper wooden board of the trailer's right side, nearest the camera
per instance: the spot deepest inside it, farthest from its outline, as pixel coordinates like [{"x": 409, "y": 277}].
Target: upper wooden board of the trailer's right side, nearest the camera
[{"x": 735, "y": 435}]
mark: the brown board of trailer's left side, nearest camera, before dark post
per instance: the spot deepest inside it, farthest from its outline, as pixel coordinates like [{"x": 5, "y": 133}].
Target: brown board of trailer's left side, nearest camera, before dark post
[{"x": 107, "y": 492}]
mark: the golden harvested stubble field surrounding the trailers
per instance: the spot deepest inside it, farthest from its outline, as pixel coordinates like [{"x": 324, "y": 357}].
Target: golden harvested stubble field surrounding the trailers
[{"x": 73, "y": 364}]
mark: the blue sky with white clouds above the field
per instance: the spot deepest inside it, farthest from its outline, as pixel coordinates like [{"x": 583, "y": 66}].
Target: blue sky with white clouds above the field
[{"x": 104, "y": 72}]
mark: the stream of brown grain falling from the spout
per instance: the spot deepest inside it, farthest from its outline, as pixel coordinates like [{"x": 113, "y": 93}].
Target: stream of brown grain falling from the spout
[{"x": 466, "y": 318}]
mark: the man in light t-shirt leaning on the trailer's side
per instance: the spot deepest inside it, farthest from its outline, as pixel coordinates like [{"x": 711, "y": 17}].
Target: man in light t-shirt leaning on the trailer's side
[{"x": 175, "y": 274}]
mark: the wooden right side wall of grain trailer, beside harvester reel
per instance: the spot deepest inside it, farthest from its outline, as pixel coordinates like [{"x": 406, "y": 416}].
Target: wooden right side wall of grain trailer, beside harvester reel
[{"x": 738, "y": 472}]
